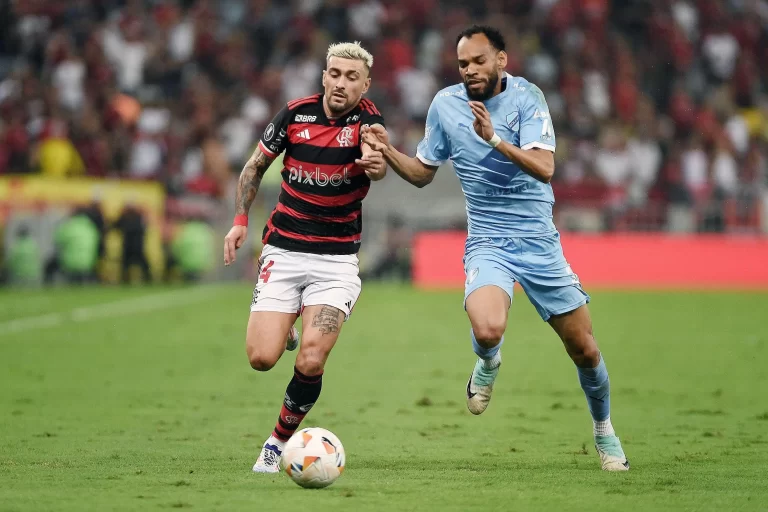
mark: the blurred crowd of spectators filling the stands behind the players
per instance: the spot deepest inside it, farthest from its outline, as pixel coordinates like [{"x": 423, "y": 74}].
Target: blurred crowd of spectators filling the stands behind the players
[{"x": 660, "y": 106}]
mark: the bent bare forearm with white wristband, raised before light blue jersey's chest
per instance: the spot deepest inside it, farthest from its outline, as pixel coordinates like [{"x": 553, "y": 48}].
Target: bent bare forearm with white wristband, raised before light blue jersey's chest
[{"x": 538, "y": 162}]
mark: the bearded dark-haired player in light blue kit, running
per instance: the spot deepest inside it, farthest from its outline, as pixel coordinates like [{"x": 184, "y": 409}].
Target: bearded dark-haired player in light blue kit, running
[{"x": 497, "y": 132}]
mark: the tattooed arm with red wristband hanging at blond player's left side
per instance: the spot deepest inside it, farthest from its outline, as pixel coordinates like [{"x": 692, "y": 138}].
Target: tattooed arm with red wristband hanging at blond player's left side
[{"x": 272, "y": 143}]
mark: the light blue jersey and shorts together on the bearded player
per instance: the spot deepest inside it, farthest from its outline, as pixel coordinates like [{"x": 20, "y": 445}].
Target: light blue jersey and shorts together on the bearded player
[{"x": 512, "y": 237}]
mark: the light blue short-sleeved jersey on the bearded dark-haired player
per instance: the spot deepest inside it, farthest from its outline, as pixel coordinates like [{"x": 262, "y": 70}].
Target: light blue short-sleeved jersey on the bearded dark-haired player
[{"x": 502, "y": 200}]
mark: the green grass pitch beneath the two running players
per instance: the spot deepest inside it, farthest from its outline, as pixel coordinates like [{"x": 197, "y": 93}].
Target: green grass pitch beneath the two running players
[{"x": 143, "y": 399}]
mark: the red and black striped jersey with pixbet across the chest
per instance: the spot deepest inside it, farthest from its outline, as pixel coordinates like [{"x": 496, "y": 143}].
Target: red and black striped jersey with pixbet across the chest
[{"x": 320, "y": 206}]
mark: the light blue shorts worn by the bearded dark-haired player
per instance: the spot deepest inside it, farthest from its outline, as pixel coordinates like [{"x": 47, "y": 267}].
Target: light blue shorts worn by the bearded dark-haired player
[{"x": 538, "y": 264}]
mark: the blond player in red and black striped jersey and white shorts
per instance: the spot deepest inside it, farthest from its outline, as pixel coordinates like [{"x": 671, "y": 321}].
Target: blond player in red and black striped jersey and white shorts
[{"x": 309, "y": 264}]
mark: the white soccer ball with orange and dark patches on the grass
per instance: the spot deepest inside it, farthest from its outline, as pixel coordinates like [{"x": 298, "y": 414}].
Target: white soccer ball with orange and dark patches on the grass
[{"x": 313, "y": 458}]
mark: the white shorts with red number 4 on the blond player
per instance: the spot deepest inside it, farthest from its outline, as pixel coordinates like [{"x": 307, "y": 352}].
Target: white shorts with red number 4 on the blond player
[{"x": 288, "y": 281}]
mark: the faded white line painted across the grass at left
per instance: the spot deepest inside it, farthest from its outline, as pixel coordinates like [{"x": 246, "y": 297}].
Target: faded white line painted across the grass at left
[{"x": 124, "y": 307}]
